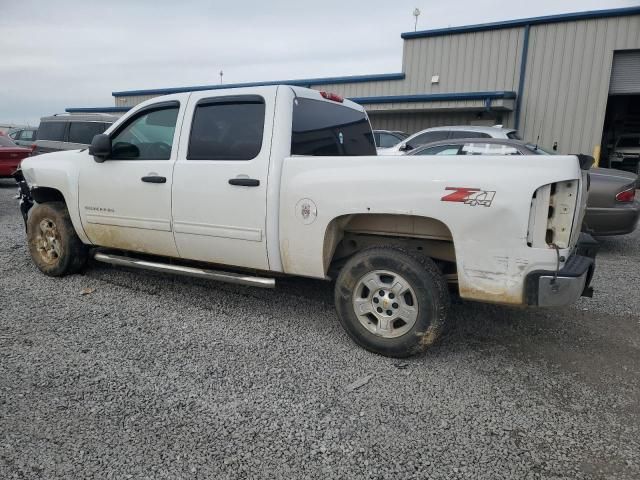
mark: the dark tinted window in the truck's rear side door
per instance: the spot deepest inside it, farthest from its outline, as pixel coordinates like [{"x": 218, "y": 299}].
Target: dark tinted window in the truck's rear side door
[{"x": 227, "y": 128}]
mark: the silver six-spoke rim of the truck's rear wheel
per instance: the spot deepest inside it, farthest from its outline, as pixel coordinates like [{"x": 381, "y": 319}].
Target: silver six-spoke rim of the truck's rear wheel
[{"x": 385, "y": 304}]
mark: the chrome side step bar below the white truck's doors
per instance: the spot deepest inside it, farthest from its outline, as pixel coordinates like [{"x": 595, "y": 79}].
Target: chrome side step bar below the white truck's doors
[{"x": 228, "y": 277}]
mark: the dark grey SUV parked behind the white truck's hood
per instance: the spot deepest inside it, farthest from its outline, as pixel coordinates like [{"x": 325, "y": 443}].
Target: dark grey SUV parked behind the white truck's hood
[{"x": 70, "y": 132}]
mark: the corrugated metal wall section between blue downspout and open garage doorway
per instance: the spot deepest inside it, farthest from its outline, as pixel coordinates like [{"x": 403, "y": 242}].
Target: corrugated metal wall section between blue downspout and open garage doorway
[{"x": 567, "y": 80}]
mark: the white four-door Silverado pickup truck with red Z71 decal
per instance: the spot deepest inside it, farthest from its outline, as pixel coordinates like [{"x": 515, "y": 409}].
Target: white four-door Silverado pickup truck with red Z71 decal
[{"x": 279, "y": 180}]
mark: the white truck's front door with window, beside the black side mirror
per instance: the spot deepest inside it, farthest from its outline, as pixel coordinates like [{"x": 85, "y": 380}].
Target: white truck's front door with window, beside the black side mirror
[{"x": 125, "y": 201}]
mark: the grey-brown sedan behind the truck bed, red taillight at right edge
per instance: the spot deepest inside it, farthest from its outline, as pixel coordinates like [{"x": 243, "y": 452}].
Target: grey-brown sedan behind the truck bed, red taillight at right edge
[{"x": 611, "y": 208}]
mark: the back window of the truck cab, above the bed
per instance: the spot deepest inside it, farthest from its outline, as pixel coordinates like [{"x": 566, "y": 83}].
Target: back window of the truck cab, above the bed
[{"x": 324, "y": 128}]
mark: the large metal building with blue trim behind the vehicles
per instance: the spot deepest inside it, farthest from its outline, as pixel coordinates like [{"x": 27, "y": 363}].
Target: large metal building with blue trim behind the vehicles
[{"x": 569, "y": 81}]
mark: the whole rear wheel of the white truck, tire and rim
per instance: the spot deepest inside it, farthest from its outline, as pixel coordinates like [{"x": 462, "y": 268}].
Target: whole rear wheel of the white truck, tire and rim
[{"x": 391, "y": 302}]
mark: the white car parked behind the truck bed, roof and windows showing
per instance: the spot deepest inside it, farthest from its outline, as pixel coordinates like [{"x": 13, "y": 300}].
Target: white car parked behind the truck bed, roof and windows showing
[{"x": 435, "y": 134}]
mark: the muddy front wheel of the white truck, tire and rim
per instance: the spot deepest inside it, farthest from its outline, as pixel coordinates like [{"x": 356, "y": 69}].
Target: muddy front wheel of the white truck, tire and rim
[{"x": 53, "y": 243}]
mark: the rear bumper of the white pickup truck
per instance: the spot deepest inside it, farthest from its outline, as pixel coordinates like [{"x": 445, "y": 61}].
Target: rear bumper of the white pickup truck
[{"x": 545, "y": 288}]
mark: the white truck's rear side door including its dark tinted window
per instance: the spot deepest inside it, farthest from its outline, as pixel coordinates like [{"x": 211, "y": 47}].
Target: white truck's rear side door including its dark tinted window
[{"x": 220, "y": 178}]
